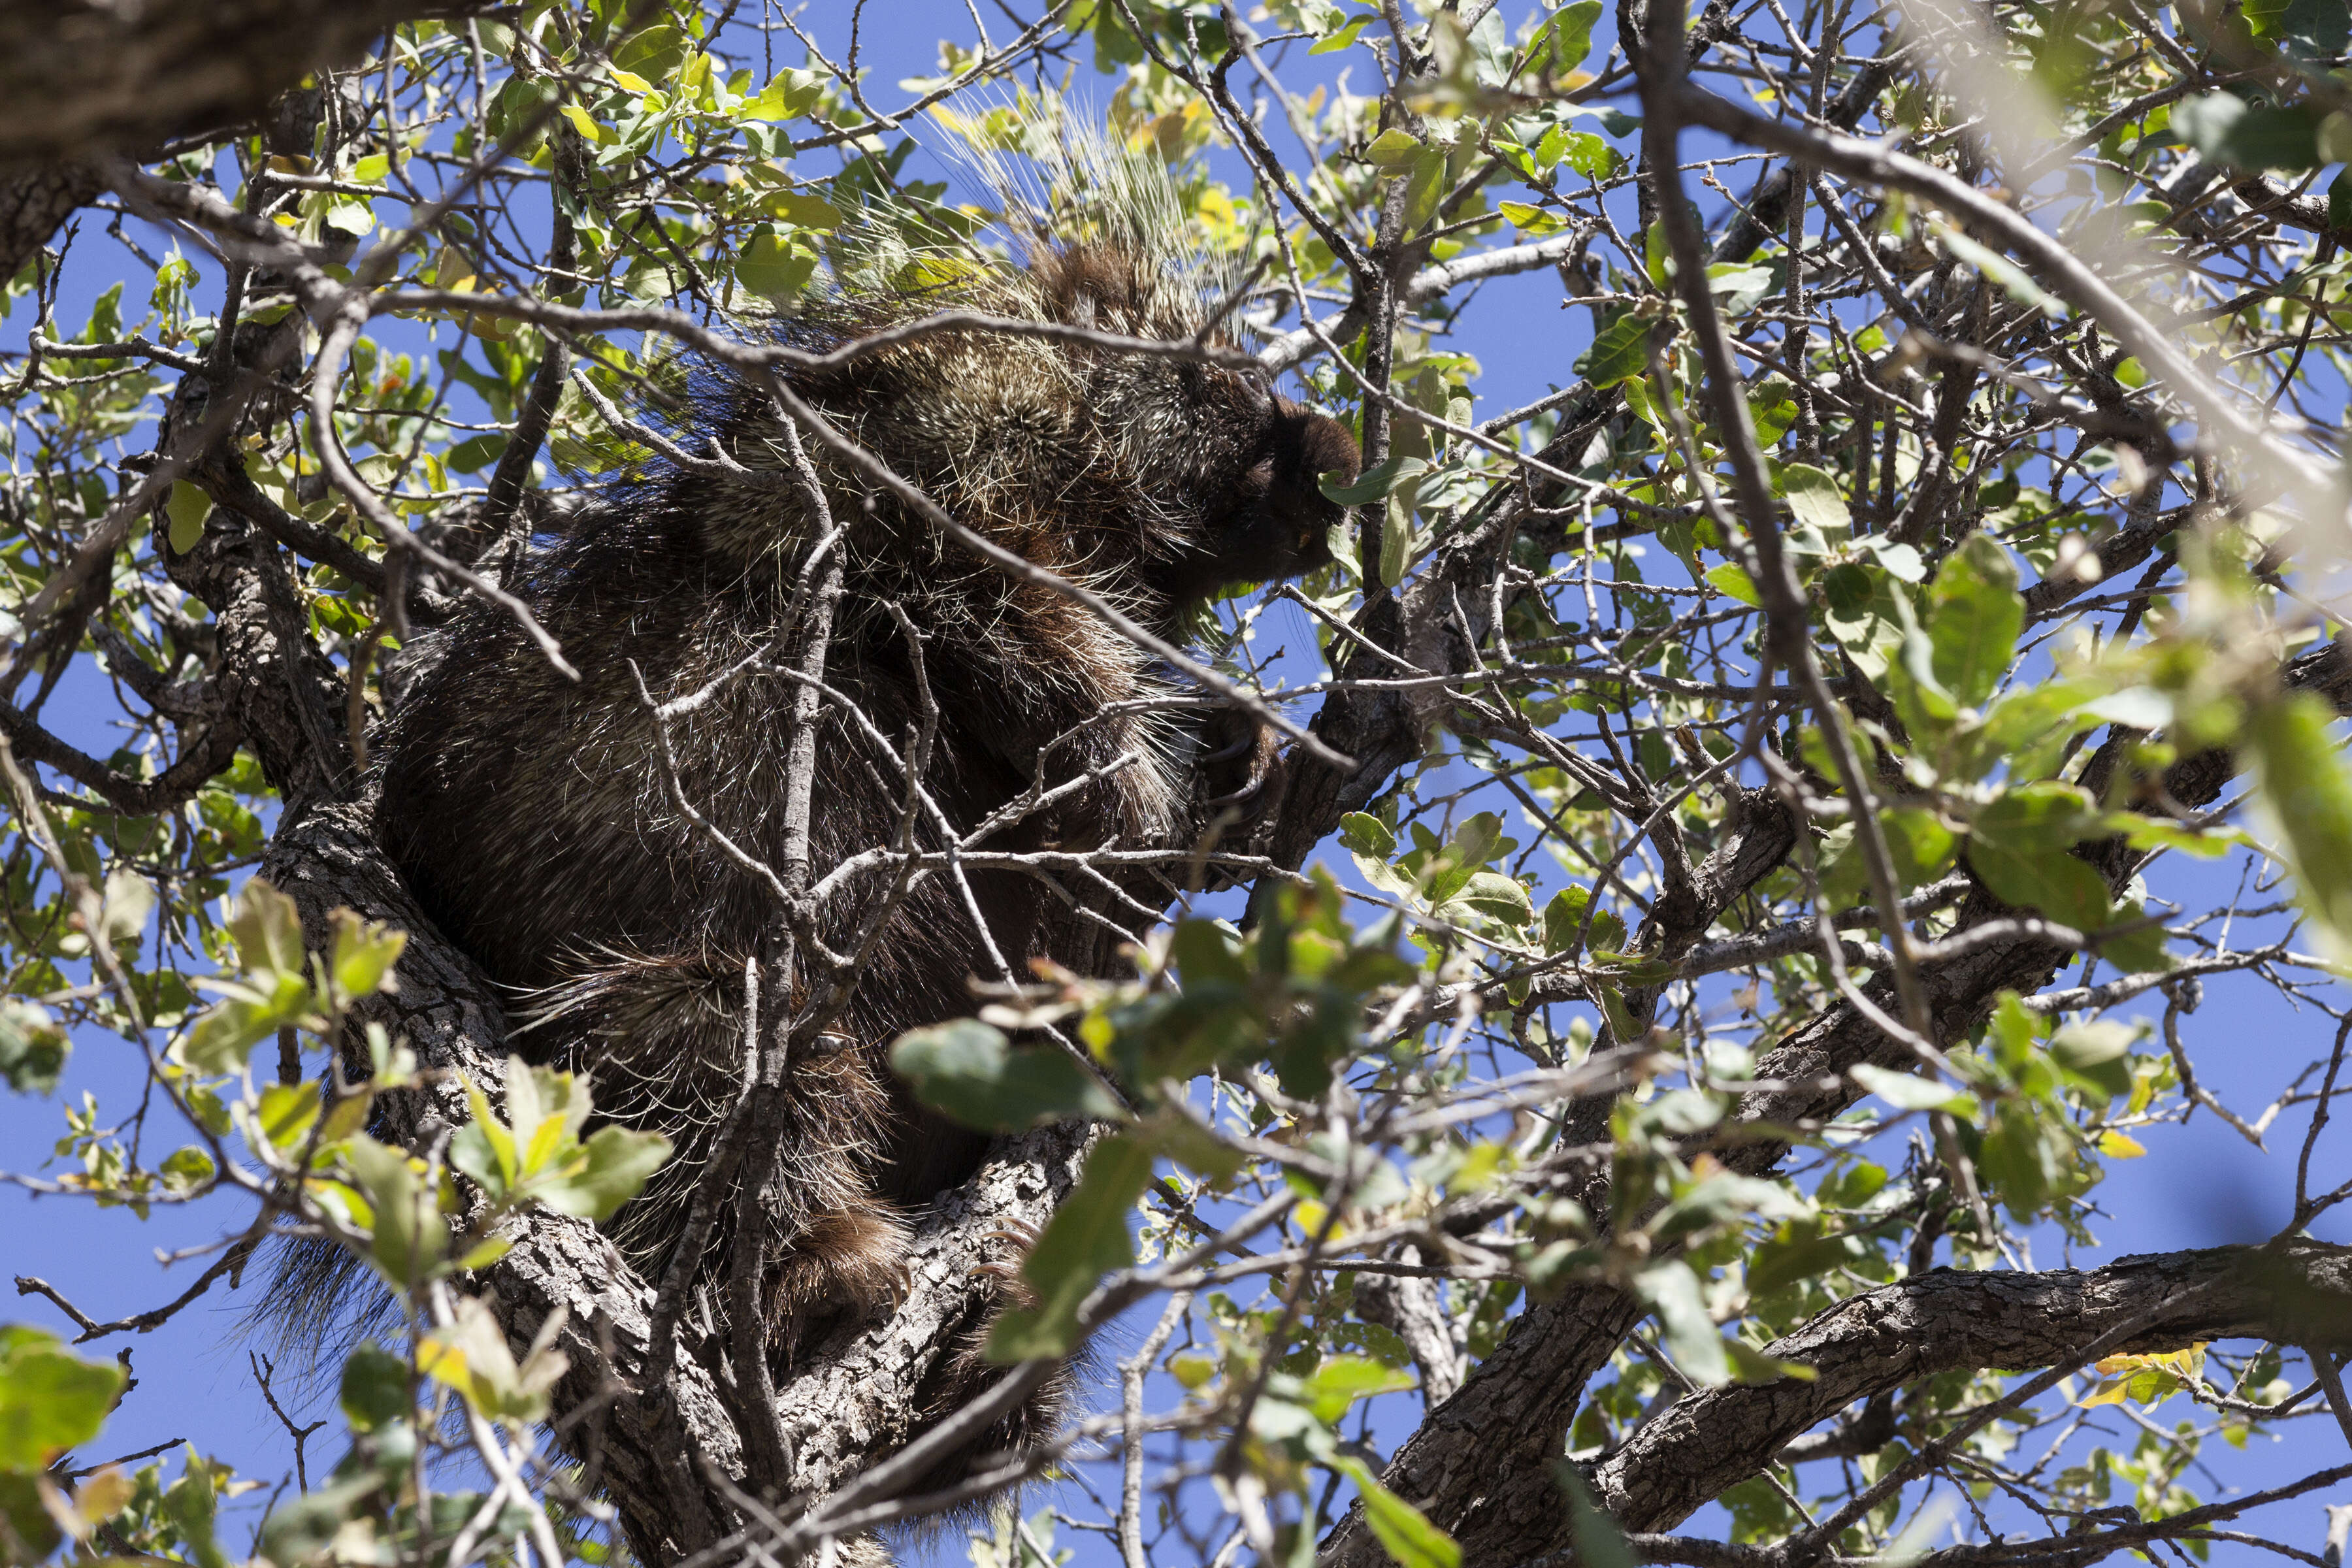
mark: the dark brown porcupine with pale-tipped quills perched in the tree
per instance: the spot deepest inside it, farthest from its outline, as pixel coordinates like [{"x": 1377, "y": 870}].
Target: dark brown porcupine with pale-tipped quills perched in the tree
[{"x": 535, "y": 819}]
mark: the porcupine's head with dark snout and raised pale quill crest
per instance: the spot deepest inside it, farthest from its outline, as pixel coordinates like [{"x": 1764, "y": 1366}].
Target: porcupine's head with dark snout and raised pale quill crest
[{"x": 1154, "y": 478}]
